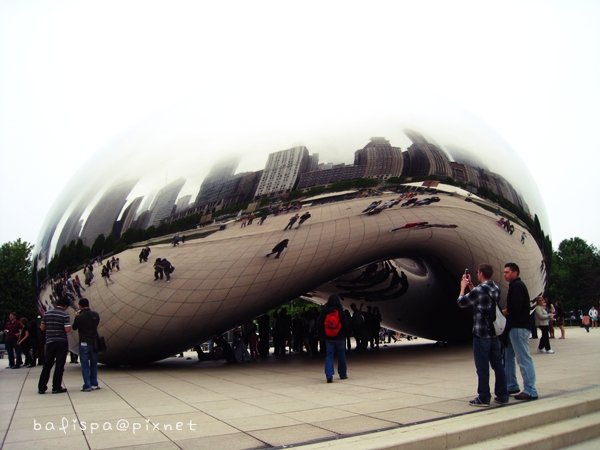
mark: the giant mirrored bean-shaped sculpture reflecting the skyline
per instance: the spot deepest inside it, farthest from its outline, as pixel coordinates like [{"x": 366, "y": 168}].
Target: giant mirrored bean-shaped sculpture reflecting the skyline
[{"x": 446, "y": 200}]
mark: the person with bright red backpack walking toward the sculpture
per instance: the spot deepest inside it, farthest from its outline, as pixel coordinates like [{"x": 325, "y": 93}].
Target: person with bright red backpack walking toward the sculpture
[{"x": 333, "y": 325}]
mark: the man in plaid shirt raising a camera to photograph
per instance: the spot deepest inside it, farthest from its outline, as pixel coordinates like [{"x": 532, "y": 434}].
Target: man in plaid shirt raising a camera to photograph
[{"x": 486, "y": 347}]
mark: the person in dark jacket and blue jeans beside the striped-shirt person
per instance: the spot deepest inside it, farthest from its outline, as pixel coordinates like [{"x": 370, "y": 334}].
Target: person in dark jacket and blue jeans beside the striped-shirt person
[{"x": 86, "y": 322}]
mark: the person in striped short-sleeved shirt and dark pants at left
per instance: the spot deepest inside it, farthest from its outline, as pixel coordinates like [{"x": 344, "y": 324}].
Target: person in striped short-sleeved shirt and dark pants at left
[{"x": 56, "y": 324}]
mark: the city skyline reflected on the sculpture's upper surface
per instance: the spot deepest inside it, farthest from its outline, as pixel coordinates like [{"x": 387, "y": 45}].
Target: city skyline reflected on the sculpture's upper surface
[{"x": 110, "y": 200}]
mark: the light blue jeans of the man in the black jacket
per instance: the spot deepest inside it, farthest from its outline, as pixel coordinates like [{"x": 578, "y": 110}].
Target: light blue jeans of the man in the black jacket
[{"x": 518, "y": 348}]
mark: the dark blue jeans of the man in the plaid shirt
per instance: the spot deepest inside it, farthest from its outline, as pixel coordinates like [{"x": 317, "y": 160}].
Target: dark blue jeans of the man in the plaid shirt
[{"x": 487, "y": 353}]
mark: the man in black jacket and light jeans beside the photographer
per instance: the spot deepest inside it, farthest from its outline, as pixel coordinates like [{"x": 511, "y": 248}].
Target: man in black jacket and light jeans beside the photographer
[{"x": 517, "y": 323}]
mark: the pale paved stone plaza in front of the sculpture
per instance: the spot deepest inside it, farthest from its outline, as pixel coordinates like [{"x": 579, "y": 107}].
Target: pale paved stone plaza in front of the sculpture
[{"x": 268, "y": 403}]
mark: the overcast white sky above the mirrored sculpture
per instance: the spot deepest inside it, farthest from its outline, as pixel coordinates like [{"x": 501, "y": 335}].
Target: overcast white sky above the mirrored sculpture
[{"x": 74, "y": 76}]
